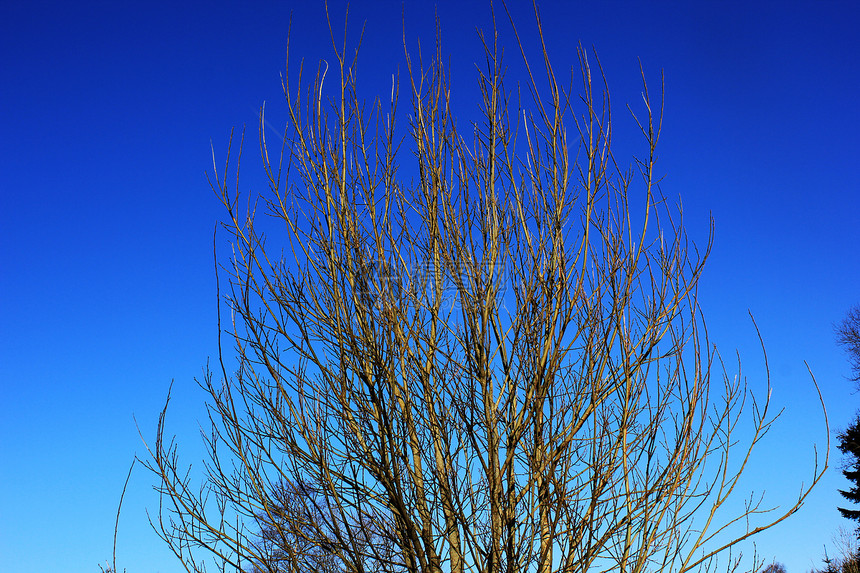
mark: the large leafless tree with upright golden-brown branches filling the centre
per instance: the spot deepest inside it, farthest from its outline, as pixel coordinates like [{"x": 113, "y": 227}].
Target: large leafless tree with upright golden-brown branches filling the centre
[{"x": 495, "y": 362}]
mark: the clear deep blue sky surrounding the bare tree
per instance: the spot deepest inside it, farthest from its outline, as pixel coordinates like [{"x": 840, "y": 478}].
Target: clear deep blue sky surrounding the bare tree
[{"x": 107, "y": 110}]
